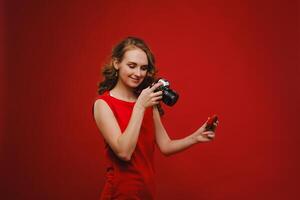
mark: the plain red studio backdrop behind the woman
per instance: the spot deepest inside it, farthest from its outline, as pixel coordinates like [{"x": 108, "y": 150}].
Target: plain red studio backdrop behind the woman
[{"x": 239, "y": 59}]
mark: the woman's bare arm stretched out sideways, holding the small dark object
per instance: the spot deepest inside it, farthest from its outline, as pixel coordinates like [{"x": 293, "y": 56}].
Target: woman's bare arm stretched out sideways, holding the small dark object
[{"x": 168, "y": 146}]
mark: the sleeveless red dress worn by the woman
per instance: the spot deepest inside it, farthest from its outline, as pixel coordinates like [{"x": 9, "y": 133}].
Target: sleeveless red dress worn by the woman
[{"x": 132, "y": 179}]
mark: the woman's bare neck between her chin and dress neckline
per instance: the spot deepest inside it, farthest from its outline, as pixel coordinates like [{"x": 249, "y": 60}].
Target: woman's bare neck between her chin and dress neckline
[{"x": 122, "y": 92}]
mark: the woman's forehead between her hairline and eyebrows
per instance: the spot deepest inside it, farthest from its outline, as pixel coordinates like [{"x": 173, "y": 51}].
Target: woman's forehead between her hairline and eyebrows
[{"x": 136, "y": 55}]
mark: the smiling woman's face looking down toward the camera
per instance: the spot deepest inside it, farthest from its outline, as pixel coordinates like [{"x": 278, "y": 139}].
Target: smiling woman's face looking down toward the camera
[{"x": 132, "y": 68}]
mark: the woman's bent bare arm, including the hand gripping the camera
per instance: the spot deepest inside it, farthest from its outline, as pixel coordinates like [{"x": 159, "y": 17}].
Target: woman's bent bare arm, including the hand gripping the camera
[{"x": 123, "y": 144}]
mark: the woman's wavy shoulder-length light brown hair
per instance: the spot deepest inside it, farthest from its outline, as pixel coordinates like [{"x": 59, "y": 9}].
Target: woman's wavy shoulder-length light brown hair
[{"x": 110, "y": 74}]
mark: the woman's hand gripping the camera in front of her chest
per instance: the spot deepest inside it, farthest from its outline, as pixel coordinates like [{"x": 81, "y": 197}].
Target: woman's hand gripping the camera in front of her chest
[{"x": 148, "y": 97}]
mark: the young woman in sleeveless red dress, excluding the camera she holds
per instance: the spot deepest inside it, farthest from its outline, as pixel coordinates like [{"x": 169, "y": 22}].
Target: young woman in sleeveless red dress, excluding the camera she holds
[{"x": 127, "y": 113}]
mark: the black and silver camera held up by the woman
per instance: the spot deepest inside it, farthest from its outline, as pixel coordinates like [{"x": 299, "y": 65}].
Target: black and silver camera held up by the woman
[{"x": 169, "y": 97}]
